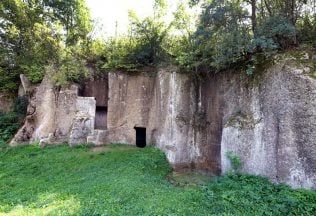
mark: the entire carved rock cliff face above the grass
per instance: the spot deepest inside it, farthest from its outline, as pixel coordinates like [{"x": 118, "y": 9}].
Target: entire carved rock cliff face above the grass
[{"x": 268, "y": 120}]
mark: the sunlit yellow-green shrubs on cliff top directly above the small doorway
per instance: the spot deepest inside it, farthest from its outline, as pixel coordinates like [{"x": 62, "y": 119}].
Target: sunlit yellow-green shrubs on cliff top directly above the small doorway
[{"x": 144, "y": 45}]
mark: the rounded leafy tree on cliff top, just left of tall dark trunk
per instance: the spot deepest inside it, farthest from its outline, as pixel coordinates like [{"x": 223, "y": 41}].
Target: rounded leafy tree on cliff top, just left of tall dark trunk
[{"x": 221, "y": 34}]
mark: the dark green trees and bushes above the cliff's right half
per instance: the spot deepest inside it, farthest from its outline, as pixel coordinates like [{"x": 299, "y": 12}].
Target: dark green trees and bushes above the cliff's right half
[{"x": 229, "y": 34}]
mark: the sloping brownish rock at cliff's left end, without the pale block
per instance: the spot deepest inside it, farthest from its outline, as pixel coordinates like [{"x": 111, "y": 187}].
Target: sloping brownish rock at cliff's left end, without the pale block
[{"x": 50, "y": 111}]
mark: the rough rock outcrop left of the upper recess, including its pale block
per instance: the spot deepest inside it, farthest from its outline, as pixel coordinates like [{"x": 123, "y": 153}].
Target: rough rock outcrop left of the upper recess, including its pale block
[{"x": 55, "y": 115}]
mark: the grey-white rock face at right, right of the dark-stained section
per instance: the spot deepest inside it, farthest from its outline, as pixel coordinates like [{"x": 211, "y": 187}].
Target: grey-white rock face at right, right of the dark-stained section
[{"x": 272, "y": 125}]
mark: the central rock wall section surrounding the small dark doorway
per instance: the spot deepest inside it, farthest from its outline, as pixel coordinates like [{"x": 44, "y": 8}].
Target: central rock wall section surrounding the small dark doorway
[{"x": 169, "y": 106}]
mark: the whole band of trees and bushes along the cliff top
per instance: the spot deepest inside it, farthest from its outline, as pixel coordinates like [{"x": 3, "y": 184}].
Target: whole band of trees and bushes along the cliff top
[{"x": 39, "y": 37}]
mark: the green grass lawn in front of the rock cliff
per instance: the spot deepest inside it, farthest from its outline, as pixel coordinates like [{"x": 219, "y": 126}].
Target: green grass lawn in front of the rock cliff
[{"x": 118, "y": 180}]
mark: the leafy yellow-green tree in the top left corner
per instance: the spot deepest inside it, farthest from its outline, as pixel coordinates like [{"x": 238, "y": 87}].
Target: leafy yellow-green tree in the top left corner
[{"x": 32, "y": 35}]
